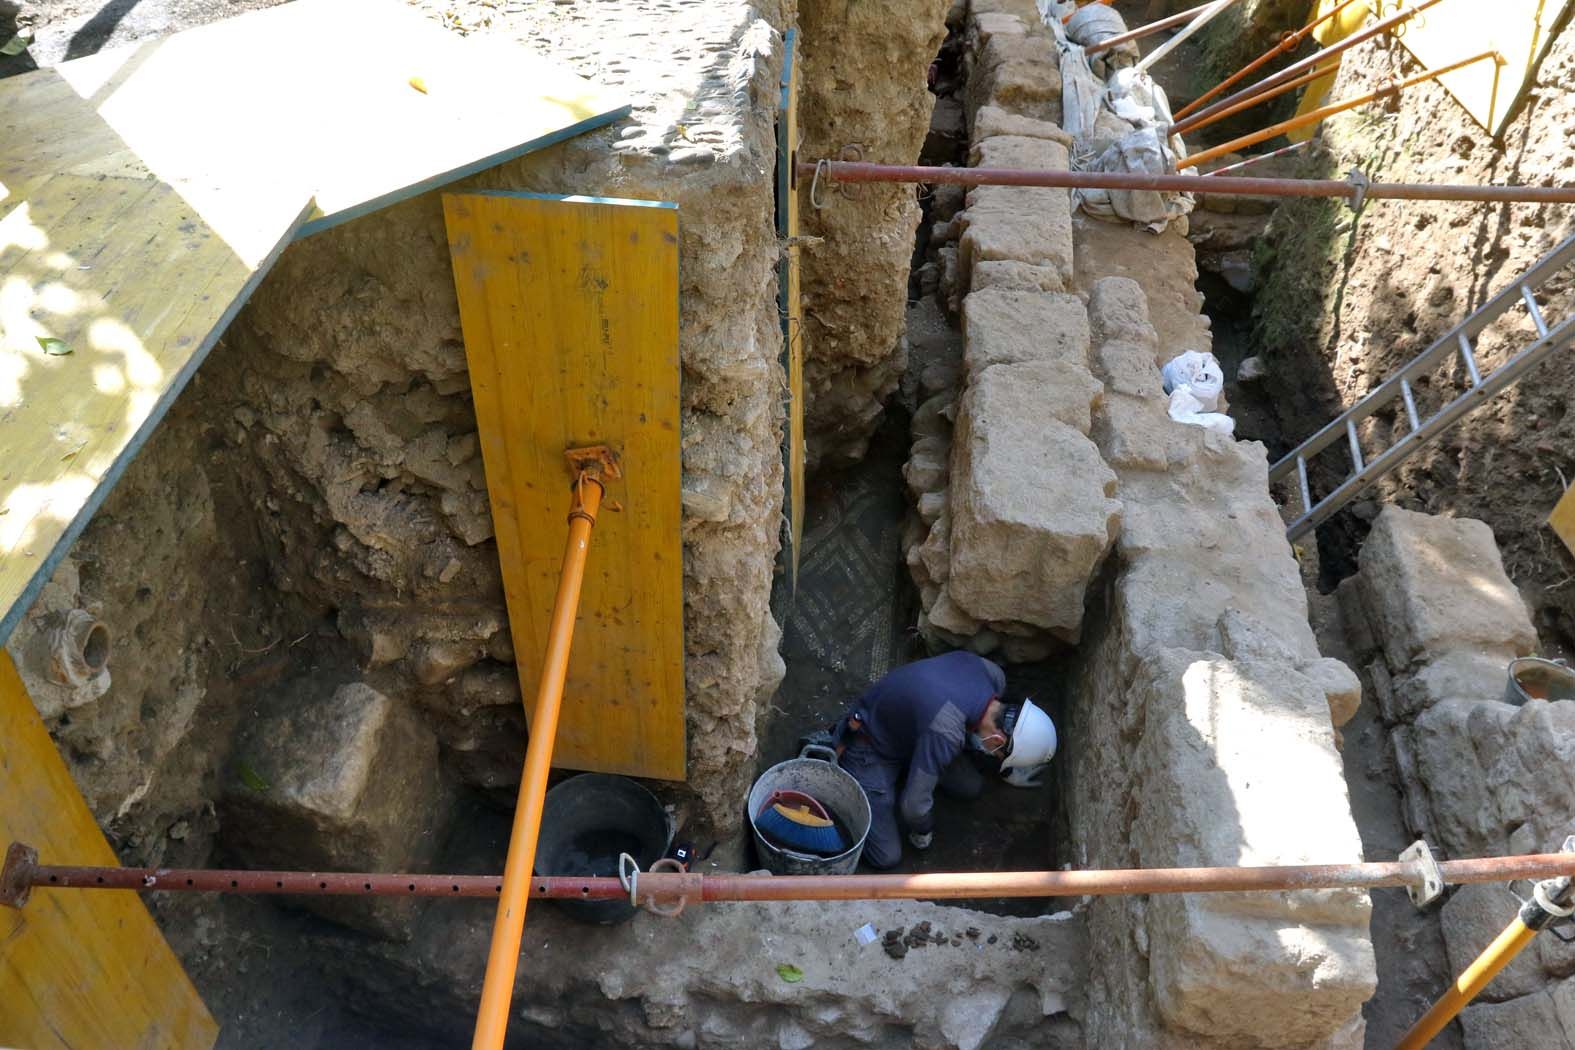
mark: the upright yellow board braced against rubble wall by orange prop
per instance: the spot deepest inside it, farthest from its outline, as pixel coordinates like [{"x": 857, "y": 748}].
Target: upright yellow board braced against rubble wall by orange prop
[{"x": 569, "y": 309}]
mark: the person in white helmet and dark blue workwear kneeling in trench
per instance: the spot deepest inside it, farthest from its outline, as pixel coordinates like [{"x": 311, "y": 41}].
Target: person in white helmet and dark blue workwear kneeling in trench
[{"x": 916, "y": 723}]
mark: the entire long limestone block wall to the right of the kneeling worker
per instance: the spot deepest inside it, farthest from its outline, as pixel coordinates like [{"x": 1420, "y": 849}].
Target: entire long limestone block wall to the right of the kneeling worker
[{"x": 1204, "y": 725}]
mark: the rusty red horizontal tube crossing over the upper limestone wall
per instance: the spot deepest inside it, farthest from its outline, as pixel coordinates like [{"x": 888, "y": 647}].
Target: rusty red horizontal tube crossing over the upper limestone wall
[{"x": 864, "y": 172}]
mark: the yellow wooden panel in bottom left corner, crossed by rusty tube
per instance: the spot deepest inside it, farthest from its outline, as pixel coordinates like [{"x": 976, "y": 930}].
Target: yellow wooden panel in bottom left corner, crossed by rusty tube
[{"x": 81, "y": 969}]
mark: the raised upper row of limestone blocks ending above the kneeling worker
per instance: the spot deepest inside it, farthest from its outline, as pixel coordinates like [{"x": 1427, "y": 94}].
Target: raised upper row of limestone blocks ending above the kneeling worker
[{"x": 1015, "y": 505}]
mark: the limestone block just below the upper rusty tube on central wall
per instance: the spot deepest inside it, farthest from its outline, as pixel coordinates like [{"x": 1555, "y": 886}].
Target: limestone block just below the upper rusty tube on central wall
[{"x": 1023, "y": 224}]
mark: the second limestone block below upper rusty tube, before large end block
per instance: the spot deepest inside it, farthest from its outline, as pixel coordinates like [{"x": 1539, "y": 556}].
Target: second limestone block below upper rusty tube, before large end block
[{"x": 1020, "y": 327}]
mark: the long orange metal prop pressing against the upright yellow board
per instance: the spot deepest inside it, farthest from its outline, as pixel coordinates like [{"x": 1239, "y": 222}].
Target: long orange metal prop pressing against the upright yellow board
[{"x": 503, "y": 959}]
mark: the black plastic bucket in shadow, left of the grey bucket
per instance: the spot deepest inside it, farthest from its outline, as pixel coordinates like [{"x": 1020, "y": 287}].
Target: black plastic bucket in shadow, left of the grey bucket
[{"x": 587, "y": 823}]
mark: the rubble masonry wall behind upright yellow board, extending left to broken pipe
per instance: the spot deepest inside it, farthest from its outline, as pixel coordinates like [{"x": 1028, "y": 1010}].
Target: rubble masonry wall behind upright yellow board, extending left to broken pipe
[{"x": 314, "y": 512}]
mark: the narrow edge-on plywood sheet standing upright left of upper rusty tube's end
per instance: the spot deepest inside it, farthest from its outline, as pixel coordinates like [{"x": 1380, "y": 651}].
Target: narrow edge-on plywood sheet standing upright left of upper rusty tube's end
[{"x": 788, "y": 295}]
